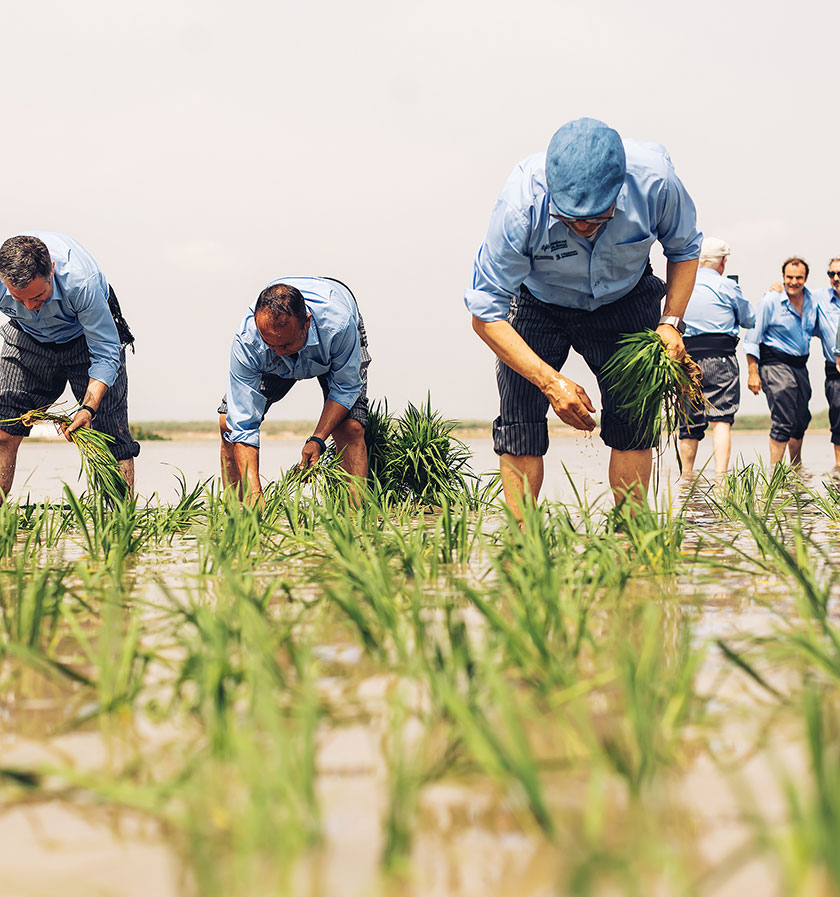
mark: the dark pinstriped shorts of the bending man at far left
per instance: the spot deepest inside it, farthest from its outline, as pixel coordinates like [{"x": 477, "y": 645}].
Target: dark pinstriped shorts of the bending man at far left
[{"x": 33, "y": 374}]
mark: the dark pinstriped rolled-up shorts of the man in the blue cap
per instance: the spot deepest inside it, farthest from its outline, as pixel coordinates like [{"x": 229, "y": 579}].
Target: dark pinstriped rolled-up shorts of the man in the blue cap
[{"x": 551, "y": 330}]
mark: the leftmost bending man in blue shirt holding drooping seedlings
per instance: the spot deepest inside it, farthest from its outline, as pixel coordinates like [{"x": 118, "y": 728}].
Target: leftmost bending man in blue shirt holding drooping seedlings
[{"x": 66, "y": 326}]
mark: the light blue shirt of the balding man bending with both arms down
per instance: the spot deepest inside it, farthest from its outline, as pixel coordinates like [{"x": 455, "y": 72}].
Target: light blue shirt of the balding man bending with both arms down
[{"x": 332, "y": 348}]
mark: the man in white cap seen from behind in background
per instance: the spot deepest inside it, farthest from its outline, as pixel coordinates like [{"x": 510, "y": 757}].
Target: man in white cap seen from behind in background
[{"x": 716, "y": 311}]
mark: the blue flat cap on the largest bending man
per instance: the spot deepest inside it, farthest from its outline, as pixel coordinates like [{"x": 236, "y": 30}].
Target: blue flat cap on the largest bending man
[{"x": 584, "y": 168}]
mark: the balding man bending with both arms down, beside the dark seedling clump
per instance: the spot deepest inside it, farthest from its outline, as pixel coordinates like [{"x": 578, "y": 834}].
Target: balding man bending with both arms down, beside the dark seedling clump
[{"x": 298, "y": 328}]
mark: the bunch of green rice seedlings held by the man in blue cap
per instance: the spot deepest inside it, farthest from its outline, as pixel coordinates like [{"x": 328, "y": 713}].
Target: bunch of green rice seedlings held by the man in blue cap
[{"x": 656, "y": 388}]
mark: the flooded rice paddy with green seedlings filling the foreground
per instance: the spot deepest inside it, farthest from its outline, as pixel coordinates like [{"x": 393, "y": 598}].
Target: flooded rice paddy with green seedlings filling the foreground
[{"x": 197, "y": 698}]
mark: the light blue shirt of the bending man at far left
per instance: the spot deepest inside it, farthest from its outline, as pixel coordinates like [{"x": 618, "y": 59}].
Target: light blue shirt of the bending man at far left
[{"x": 78, "y": 305}]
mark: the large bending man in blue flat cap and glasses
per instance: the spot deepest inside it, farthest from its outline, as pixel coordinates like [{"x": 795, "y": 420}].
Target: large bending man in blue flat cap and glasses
[{"x": 565, "y": 265}]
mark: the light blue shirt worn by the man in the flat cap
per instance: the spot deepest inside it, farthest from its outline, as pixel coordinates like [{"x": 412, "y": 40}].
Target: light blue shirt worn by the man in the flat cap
[{"x": 524, "y": 245}]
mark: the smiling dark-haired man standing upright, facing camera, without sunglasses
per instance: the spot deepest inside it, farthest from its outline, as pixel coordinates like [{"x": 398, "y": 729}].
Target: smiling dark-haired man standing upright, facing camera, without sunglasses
[{"x": 777, "y": 354}]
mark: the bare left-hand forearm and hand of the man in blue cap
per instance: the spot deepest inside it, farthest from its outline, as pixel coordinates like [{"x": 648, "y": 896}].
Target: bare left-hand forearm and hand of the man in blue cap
[{"x": 569, "y": 401}]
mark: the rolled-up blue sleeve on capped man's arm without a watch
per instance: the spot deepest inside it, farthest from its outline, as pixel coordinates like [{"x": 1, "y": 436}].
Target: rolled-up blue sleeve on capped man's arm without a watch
[{"x": 501, "y": 264}]
